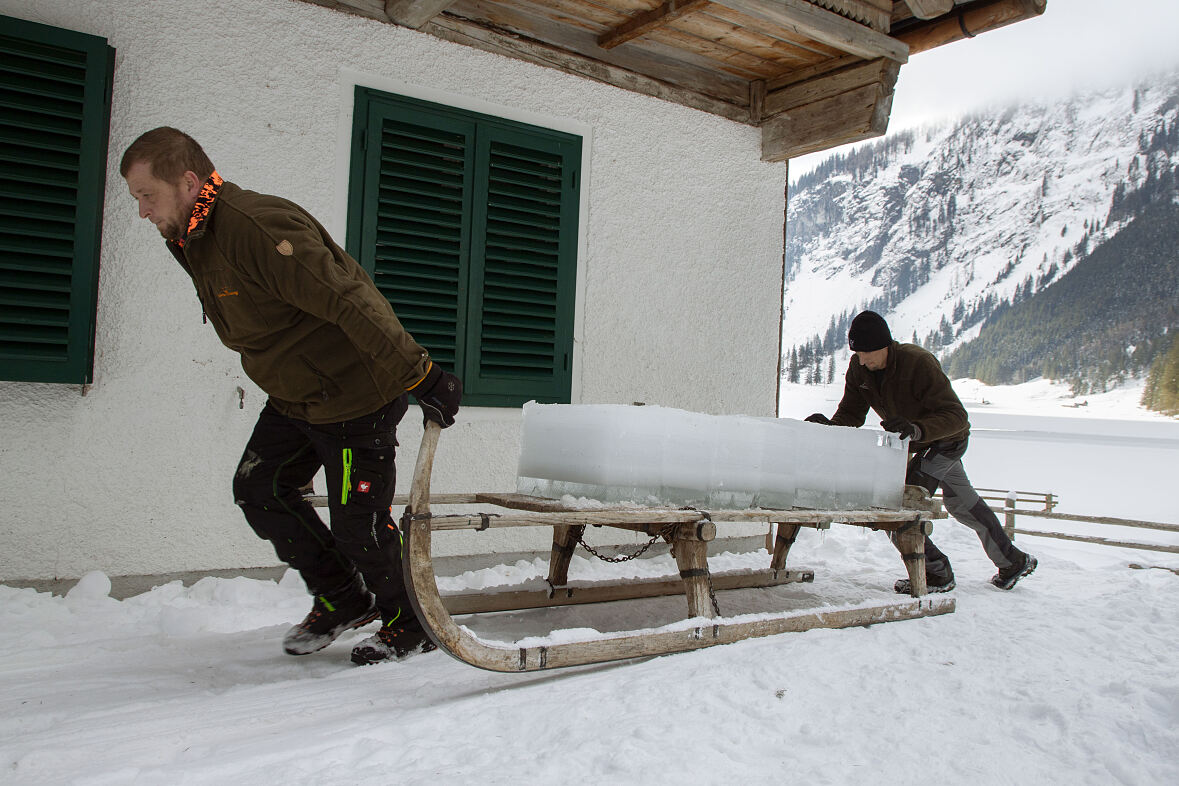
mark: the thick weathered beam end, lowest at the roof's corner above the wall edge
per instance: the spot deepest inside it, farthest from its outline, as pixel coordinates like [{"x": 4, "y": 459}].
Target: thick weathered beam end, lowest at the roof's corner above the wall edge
[{"x": 858, "y": 115}]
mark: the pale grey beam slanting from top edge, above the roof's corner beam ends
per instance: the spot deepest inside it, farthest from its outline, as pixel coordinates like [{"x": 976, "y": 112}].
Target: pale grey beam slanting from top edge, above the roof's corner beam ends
[{"x": 825, "y": 27}]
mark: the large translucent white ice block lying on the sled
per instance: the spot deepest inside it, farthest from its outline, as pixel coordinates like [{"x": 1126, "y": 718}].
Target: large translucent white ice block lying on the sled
[{"x": 656, "y": 455}]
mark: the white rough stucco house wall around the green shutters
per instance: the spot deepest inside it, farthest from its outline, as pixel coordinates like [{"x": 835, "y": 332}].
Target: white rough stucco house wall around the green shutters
[{"x": 679, "y": 301}]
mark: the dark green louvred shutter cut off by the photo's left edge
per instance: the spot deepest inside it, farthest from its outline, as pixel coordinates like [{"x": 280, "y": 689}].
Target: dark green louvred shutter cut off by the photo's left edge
[{"x": 55, "y": 115}]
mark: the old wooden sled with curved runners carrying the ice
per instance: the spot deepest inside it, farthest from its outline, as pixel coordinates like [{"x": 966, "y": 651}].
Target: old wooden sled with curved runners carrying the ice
[{"x": 688, "y": 531}]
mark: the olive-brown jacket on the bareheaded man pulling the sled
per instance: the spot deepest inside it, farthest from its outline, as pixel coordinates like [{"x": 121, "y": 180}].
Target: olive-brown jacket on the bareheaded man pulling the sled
[{"x": 312, "y": 328}]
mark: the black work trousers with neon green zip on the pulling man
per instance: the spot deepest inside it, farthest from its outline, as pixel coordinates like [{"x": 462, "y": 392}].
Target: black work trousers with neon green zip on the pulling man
[{"x": 358, "y": 458}]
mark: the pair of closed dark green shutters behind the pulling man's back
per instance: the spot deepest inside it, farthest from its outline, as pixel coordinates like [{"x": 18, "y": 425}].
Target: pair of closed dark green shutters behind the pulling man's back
[{"x": 469, "y": 226}]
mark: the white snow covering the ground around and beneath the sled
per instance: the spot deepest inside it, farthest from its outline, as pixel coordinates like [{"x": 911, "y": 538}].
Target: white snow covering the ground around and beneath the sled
[{"x": 1072, "y": 678}]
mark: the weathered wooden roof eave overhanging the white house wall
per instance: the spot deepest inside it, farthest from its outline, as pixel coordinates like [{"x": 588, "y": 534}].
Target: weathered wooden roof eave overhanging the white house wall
[{"x": 840, "y": 90}]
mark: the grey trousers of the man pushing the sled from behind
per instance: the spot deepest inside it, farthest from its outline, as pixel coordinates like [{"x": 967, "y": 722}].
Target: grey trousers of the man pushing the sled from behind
[{"x": 941, "y": 466}]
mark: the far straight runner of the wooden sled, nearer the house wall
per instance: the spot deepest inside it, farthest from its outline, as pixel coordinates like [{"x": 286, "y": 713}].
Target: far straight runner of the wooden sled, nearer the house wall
[{"x": 576, "y": 595}]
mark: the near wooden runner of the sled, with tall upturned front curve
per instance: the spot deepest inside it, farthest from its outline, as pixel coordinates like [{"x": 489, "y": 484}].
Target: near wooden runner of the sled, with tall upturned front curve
[{"x": 695, "y": 633}]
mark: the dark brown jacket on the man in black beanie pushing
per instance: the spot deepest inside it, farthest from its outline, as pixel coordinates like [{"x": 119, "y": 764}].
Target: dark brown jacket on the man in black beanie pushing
[{"x": 914, "y": 387}]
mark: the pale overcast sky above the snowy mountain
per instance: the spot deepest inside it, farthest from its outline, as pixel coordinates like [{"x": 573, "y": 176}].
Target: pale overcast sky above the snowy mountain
[{"x": 1075, "y": 45}]
